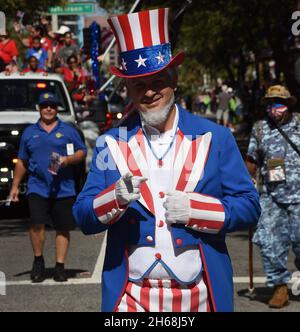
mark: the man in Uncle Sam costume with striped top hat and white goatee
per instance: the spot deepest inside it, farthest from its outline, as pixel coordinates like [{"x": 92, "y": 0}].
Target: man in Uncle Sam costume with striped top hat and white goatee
[{"x": 166, "y": 185}]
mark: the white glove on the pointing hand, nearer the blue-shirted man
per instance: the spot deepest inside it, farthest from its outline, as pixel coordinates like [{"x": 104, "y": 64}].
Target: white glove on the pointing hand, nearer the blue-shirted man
[{"x": 128, "y": 188}]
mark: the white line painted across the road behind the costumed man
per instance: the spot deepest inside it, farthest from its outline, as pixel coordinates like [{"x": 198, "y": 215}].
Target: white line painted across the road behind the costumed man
[{"x": 92, "y": 281}]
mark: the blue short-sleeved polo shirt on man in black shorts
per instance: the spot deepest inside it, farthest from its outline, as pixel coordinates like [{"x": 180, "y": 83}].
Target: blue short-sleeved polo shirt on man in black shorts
[{"x": 36, "y": 147}]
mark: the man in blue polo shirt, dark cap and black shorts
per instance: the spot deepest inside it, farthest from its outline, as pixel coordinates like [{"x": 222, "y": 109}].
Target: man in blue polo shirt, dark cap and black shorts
[{"x": 48, "y": 150}]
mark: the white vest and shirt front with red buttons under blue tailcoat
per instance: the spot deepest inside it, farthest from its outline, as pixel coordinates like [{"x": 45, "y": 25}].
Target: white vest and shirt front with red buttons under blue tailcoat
[{"x": 163, "y": 261}]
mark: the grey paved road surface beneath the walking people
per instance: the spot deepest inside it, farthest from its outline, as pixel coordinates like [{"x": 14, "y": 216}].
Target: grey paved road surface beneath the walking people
[{"x": 82, "y": 291}]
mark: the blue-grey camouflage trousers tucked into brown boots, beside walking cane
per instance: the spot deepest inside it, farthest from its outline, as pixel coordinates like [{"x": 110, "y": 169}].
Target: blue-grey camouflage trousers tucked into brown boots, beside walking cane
[{"x": 278, "y": 229}]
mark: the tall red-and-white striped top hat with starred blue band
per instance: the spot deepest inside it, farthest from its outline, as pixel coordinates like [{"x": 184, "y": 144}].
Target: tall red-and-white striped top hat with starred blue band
[{"x": 143, "y": 40}]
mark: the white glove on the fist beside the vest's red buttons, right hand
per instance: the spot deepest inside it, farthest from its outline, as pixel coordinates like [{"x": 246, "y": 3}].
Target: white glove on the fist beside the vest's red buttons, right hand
[{"x": 177, "y": 207}]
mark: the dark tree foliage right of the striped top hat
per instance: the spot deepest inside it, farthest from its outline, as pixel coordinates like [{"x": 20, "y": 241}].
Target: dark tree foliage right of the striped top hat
[{"x": 214, "y": 33}]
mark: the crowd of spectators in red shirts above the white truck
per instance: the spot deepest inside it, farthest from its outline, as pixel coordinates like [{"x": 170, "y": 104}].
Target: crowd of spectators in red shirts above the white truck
[{"x": 38, "y": 49}]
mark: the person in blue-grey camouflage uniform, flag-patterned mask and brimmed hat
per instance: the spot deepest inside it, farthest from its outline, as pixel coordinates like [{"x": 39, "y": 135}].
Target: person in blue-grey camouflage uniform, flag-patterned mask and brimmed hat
[{"x": 279, "y": 165}]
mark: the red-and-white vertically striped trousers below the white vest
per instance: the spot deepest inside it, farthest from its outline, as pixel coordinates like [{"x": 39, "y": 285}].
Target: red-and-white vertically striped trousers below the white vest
[{"x": 152, "y": 295}]
